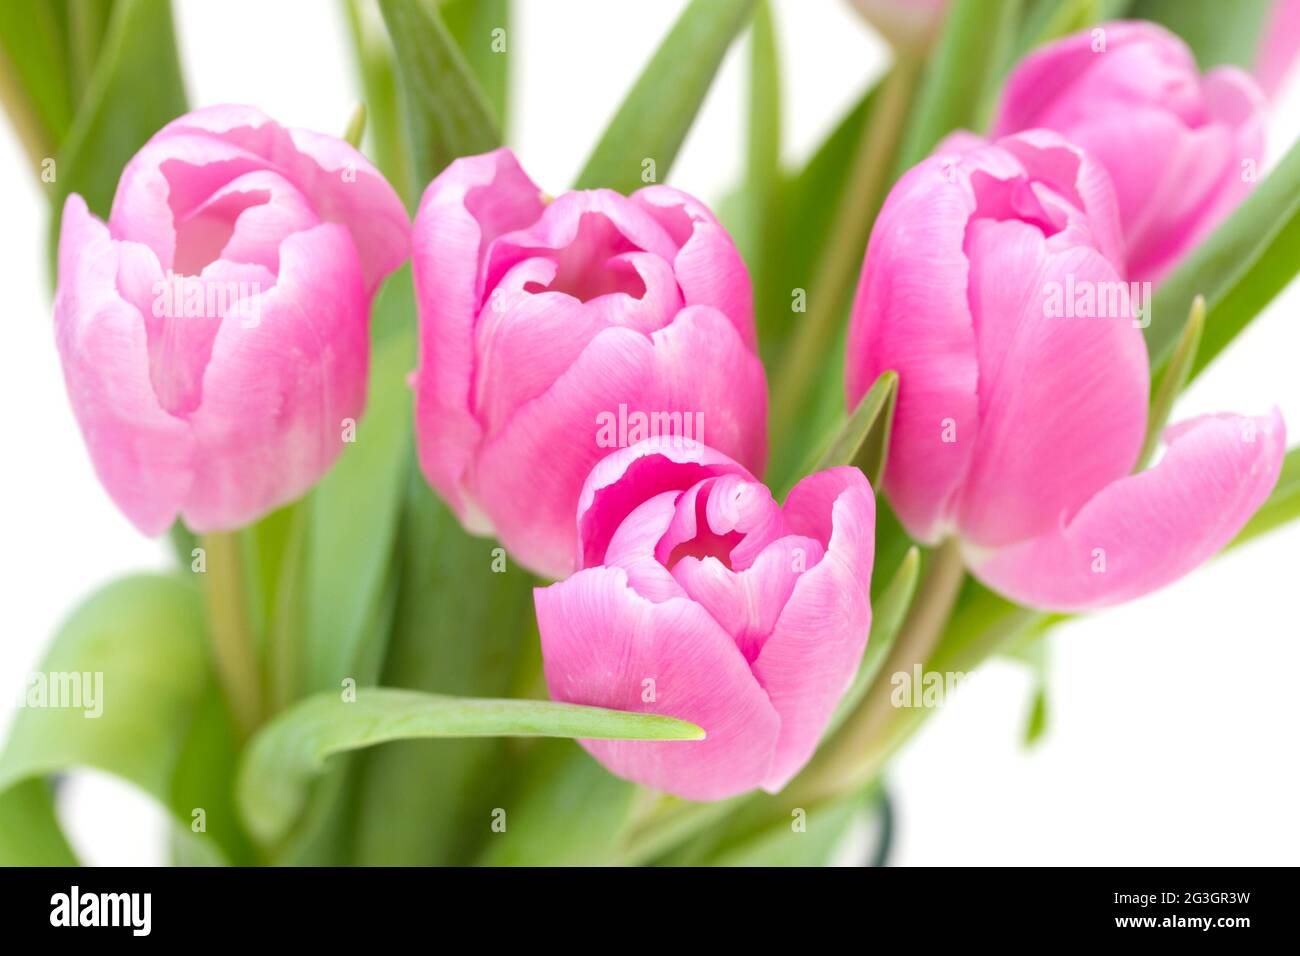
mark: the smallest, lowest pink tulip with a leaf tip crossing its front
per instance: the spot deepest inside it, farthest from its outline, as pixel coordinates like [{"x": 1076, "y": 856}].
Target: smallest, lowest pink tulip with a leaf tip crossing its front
[{"x": 703, "y": 599}]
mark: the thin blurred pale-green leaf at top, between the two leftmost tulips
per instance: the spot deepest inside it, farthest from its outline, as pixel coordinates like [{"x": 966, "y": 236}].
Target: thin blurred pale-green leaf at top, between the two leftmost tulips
[{"x": 385, "y": 129}]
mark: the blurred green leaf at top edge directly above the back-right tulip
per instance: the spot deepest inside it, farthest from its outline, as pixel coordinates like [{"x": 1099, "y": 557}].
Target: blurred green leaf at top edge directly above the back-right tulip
[{"x": 1216, "y": 34}]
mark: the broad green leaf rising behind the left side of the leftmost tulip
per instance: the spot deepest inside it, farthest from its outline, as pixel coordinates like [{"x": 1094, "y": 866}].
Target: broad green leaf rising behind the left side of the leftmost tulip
[{"x": 136, "y": 90}]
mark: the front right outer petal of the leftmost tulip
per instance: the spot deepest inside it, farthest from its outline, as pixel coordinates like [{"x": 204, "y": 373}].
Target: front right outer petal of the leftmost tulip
[{"x": 288, "y": 369}]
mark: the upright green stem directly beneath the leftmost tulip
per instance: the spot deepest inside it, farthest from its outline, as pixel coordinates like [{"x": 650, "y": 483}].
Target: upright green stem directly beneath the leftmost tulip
[{"x": 232, "y": 639}]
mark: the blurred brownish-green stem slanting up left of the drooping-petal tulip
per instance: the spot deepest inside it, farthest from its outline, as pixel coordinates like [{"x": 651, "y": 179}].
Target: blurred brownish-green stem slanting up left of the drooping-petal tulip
[{"x": 805, "y": 364}]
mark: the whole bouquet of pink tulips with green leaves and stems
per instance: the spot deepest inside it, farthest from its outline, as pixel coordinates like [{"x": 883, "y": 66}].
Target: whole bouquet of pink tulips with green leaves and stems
[{"x": 518, "y": 525}]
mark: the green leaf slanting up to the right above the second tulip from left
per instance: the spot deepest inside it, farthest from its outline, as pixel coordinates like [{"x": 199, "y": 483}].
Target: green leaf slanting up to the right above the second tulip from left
[{"x": 658, "y": 111}]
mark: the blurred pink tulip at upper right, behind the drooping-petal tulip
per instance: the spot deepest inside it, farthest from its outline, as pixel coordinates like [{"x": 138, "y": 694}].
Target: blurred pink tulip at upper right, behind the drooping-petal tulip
[{"x": 1181, "y": 149}]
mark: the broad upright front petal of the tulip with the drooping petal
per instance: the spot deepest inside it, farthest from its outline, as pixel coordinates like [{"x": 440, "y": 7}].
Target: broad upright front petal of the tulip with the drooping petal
[{"x": 1063, "y": 399}]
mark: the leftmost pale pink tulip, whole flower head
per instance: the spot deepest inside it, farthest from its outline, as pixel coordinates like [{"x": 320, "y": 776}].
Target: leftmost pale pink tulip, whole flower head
[{"x": 214, "y": 334}]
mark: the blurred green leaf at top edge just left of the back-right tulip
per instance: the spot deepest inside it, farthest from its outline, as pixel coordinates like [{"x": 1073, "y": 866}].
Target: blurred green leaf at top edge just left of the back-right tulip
[{"x": 961, "y": 77}]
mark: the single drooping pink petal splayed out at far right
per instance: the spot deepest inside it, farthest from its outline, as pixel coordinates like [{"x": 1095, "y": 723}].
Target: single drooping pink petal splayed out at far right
[{"x": 1145, "y": 531}]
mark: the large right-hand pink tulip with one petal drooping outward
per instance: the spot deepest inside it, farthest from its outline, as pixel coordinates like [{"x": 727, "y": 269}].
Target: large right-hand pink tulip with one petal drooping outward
[{"x": 991, "y": 287}]
